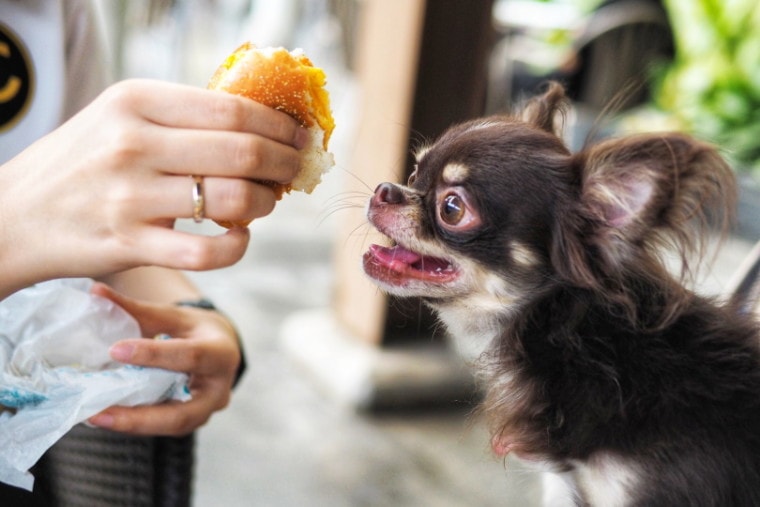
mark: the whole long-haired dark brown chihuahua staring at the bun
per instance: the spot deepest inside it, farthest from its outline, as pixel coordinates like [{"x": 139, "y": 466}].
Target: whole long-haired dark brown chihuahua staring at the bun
[{"x": 598, "y": 360}]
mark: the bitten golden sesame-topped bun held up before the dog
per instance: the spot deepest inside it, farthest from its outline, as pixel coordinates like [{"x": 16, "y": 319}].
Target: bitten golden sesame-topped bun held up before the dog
[{"x": 289, "y": 82}]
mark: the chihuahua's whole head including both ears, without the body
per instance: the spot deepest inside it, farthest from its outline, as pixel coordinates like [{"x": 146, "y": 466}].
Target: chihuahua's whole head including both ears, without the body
[{"x": 498, "y": 210}]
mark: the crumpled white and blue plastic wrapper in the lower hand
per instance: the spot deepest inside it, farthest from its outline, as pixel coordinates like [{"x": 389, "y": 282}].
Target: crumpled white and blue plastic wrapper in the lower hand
[{"x": 55, "y": 371}]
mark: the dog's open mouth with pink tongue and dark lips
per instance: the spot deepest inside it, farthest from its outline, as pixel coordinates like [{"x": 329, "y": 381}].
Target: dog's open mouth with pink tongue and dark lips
[{"x": 397, "y": 265}]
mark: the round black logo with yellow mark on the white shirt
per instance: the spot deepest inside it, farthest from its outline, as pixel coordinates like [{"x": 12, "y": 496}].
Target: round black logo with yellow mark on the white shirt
[{"x": 15, "y": 78}]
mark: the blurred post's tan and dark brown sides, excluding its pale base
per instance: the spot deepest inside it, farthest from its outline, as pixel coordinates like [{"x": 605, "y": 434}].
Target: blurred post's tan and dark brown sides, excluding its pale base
[{"x": 421, "y": 67}]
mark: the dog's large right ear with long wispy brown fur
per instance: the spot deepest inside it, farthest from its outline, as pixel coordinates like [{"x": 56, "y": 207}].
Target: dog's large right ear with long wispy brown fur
[{"x": 649, "y": 190}]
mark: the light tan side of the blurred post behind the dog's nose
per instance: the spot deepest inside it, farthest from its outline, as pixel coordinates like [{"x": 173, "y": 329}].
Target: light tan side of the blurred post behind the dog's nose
[{"x": 386, "y": 67}]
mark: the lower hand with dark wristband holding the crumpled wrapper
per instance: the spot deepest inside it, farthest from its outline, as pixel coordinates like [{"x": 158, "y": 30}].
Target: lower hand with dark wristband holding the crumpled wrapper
[{"x": 204, "y": 345}]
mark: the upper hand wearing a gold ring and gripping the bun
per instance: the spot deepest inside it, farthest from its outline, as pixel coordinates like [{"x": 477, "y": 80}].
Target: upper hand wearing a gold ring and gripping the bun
[{"x": 101, "y": 193}]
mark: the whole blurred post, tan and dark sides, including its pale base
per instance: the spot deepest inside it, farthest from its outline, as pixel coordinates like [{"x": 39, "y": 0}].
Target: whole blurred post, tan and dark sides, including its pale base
[{"x": 420, "y": 66}]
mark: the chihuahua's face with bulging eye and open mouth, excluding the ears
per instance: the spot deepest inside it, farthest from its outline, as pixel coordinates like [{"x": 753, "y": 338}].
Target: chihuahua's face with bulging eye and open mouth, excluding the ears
[{"x": 475, "y": 217}]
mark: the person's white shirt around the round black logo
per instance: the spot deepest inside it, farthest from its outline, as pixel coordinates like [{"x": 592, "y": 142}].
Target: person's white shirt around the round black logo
[{"x": 63, "y": 45}]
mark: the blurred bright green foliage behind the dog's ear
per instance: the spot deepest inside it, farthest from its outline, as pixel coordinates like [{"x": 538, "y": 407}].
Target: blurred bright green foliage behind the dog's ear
[{"x": 713, "y": 86}]
